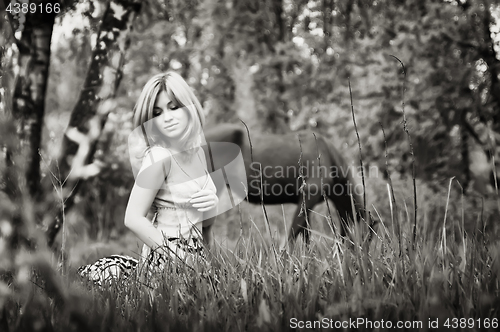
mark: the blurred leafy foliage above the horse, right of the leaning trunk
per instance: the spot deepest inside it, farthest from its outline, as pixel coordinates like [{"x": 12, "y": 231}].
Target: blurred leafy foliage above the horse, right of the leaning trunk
[{"x": 293, "y": 71}]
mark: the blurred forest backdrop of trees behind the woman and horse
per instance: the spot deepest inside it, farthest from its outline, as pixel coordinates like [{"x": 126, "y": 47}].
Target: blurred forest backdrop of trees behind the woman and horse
[{"x": 279, "y": 66}]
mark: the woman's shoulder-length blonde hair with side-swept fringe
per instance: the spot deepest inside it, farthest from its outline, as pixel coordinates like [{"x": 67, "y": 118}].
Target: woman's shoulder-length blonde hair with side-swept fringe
[{"x": 180, "y": 93}]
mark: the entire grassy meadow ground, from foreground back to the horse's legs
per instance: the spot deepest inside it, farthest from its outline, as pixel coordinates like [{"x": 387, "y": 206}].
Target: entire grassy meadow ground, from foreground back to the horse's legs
[{"x": 446, "y": 277}]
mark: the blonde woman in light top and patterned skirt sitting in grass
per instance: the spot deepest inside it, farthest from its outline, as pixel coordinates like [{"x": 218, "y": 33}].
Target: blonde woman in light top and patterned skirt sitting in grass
[{"x": 171, "y": 178}]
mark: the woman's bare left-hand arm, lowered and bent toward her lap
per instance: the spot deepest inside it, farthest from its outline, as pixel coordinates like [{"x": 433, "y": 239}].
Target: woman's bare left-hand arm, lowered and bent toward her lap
[{"x": 155, "y": 168}]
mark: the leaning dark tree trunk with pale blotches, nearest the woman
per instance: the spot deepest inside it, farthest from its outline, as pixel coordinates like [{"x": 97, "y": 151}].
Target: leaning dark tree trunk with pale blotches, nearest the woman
[{"x": 90, "y": 113}]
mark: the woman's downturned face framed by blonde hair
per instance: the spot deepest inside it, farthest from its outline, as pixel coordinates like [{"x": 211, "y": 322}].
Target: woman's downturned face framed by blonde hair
[{"x": 168, "y": 118}]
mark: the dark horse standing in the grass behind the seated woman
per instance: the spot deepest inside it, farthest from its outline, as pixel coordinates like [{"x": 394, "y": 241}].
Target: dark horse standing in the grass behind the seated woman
[{"x": 291, "y": 172}]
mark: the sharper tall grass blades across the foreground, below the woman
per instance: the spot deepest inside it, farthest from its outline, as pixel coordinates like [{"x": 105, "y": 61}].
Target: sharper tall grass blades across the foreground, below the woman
[{"x": 250, "y": 288}]
